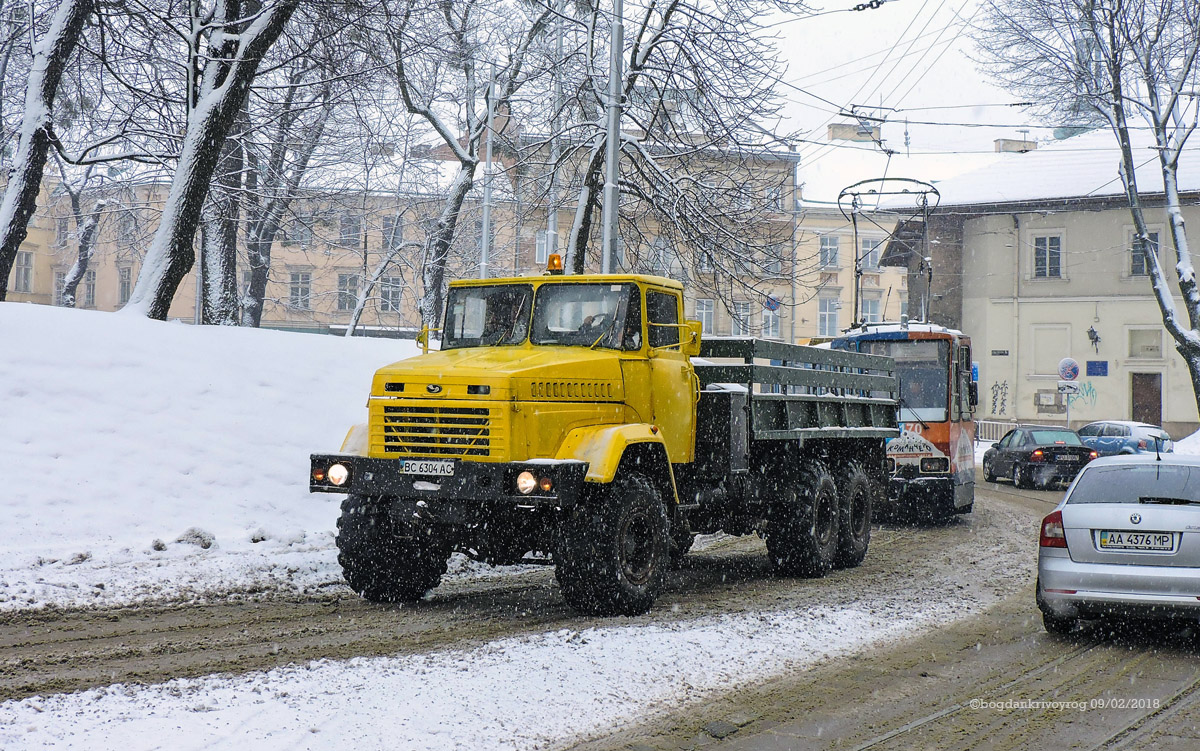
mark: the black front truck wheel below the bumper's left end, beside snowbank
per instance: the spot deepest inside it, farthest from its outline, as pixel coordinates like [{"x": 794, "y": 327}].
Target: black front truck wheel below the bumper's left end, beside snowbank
[{"x": 385, "y": 563}]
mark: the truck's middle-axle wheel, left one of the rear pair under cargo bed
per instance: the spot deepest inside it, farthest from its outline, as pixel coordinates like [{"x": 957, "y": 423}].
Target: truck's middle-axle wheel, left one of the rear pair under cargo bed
[{"x": 802, "y": 525}]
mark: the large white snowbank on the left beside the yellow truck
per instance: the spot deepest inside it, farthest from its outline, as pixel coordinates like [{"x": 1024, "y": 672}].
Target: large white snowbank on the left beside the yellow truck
[{"x": 152, "y": 460}]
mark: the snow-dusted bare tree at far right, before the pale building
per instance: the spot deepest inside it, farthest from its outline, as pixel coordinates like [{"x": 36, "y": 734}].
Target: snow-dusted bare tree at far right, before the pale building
[{"x": 1119, "y": 63}]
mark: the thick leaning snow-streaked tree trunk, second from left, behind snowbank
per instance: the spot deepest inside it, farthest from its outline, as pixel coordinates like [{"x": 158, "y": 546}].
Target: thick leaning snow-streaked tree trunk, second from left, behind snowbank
[{"x": 224, "y": 89}]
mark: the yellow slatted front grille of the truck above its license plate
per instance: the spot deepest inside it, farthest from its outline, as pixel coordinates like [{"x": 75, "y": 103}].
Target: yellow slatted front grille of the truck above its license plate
[{"x": 437, "y": 431}]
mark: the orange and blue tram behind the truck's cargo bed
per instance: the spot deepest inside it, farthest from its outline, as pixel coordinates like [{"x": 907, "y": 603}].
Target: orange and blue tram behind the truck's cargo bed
[{"x": 932, "y": 462}]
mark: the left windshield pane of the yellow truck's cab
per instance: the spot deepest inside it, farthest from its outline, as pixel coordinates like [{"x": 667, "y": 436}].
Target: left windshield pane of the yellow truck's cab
[{"x": 488, "y": 316}]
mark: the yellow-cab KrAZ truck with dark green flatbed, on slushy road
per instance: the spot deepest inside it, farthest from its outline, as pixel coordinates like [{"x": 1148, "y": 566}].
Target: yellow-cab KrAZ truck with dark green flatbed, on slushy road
[{"x": 567, "y": 414}]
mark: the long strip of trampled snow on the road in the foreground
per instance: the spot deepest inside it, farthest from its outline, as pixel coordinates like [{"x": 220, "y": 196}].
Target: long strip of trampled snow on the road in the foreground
[{"x": 526, "y": 693}]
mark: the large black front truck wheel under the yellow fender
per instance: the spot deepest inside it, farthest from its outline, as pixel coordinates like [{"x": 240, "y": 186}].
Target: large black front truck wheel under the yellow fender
[{"x": 614, "y": 552}]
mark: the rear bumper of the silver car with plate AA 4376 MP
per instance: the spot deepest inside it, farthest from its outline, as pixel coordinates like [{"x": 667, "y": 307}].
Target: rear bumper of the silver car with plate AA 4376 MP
[{"x": 1077, "y": 590}]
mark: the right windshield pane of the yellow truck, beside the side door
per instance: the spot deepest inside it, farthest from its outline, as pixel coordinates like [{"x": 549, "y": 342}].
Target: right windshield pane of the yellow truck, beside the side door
[{"x": 608, "y": 316}]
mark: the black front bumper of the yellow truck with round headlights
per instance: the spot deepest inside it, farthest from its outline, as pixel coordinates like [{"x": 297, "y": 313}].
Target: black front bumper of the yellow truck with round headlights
[{"x": 471, "y": 482}]
